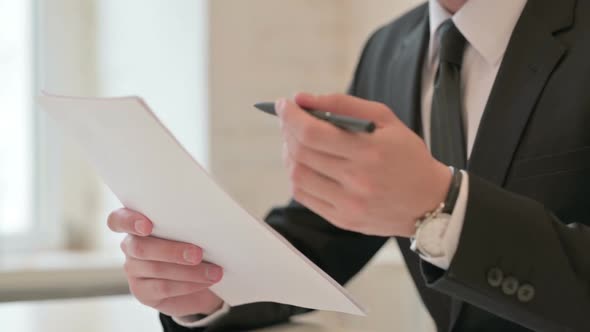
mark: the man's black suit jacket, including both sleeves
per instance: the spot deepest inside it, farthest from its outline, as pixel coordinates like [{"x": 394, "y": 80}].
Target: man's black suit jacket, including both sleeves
[{"x": 528, "y": 212}]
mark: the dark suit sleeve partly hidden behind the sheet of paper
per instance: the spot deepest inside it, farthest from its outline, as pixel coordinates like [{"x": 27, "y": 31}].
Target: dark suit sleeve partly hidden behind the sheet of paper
[{"x": 339, "y": 253}]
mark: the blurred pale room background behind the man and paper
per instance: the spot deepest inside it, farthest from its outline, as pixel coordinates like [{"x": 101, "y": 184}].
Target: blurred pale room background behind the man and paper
[{"x": 200, "y": 65}]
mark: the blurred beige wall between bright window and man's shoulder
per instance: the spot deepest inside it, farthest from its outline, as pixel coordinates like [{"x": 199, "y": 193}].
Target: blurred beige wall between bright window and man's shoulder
[{"x": 265, "y": 49}]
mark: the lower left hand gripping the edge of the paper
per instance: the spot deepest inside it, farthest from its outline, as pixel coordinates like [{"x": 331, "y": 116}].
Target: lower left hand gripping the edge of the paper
[{"x": 166, "y": 275}]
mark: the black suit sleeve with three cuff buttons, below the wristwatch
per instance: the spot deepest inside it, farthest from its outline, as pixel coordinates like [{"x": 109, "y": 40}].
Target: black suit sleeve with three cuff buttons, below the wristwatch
[{"x": 517, "y": 260}]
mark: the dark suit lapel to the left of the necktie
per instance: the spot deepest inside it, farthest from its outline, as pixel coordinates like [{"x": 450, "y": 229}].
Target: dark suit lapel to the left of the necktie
[{"x": 405, "y": 75}]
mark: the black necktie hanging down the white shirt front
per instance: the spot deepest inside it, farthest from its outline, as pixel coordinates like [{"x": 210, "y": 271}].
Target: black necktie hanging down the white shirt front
[{"x": 447, "y": 138}]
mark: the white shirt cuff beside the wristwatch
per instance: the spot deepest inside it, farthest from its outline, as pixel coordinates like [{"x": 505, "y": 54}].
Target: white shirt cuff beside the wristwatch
[{"x": 450, "y": 239}]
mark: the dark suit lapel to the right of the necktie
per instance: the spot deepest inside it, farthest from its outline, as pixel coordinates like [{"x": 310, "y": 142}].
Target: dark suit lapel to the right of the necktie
[{"x": 531, "y": 56}]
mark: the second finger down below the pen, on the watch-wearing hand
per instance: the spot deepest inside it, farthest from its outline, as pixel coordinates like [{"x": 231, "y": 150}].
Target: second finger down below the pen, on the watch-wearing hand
[{"x": 325, "y": 164}]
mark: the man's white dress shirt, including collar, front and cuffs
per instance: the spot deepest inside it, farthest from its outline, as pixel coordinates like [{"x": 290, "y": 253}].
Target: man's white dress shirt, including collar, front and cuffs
[{"x": 487, "y": 27}]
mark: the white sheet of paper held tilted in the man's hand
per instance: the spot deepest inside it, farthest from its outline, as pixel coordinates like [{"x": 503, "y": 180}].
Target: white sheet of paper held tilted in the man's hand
[{"x": 149, "y": 171}]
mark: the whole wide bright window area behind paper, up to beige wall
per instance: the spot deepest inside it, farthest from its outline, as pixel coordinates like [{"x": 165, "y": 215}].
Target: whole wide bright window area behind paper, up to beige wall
[{"x": 50, "y": 197}]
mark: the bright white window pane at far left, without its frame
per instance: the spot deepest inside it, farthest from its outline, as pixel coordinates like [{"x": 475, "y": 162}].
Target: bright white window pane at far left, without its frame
[{"x": 16, "y": 118}]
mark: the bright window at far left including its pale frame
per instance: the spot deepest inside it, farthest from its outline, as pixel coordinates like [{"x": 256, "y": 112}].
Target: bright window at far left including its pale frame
[{"x": 30, "y": 190}]
